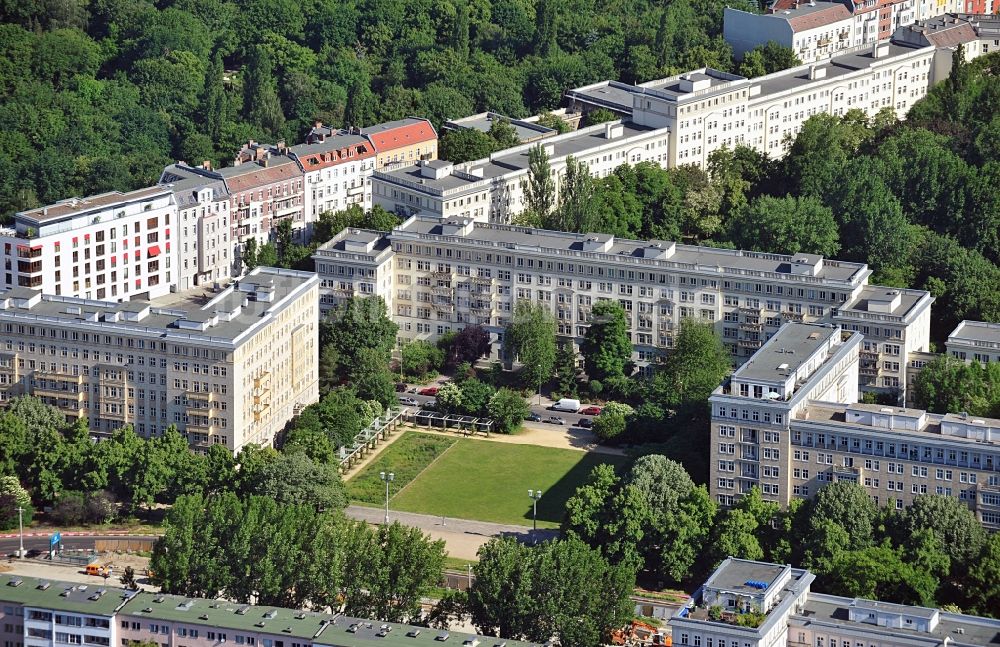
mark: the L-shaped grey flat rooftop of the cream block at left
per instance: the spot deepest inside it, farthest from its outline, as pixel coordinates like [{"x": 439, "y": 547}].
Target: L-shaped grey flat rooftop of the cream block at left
[{"x": 163, "y": 321}]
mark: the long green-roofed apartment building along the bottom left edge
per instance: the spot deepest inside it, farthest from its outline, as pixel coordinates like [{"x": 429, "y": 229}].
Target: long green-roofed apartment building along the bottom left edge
[{"x": 79, "y": 614}]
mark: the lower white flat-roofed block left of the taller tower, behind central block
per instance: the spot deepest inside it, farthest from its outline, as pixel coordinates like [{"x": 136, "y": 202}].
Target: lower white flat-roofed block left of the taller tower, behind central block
[{"x": 490, "y": 190}]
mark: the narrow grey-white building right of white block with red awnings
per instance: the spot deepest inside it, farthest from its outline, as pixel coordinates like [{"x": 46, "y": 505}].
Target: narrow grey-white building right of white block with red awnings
[{"x": 203, "y": 212}]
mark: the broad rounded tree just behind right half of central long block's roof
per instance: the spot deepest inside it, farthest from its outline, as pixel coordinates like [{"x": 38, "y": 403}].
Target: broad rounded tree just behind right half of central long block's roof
[{"x": 787, "y": 225}]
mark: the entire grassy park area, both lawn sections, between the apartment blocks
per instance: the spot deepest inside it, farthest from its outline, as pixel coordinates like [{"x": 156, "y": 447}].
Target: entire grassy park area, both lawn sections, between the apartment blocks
[{"x": 477, "y": 479}]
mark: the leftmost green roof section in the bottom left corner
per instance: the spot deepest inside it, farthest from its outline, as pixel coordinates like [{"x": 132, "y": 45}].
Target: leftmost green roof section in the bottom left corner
[{"x": 94, "y": 599}]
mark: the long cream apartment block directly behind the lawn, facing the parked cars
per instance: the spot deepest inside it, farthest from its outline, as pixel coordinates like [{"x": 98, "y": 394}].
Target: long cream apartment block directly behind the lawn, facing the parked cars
[{"x": 439, "y": 276}]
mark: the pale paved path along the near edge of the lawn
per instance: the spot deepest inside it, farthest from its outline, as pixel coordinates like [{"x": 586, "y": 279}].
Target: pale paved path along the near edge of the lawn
[{"x": 463, "y": 537}]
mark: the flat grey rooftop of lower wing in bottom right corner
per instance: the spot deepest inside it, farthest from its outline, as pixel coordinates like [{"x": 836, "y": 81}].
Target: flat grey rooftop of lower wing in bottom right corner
[{"x": 952, "y": 628}]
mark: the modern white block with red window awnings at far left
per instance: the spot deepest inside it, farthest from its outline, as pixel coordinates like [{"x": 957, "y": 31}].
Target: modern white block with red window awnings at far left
[{"x": 114, "y": 246}]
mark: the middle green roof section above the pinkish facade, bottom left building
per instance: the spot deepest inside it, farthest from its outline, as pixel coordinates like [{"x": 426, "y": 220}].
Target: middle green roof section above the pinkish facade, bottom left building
[{"x": 227, "y": 615}]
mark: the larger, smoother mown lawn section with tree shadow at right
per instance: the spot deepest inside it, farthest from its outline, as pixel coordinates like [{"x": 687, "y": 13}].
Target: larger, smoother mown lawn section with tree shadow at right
[{"x": 489, "y": 481}]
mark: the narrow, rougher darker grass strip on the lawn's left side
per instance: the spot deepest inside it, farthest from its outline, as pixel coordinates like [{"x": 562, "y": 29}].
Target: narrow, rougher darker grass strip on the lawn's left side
[{"x": 405, "y": 458}]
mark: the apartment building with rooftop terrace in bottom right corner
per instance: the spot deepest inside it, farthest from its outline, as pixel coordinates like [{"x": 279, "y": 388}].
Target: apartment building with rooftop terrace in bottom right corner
[{"x": 795, "y": 615}]
